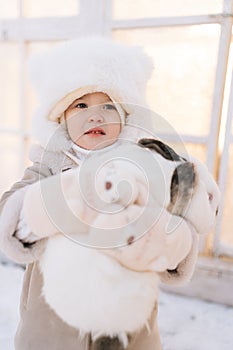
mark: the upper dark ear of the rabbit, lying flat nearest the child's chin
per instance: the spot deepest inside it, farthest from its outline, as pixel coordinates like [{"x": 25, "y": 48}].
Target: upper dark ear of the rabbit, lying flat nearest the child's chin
[{"x": 158, "y": 146}]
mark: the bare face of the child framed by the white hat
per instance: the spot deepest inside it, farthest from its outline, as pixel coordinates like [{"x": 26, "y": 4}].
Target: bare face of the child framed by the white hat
[{"x": 93, "y": 121}]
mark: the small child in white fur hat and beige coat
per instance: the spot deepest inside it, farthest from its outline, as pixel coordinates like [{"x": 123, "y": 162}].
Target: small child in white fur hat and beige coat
[{"x": 89, "y": 91}]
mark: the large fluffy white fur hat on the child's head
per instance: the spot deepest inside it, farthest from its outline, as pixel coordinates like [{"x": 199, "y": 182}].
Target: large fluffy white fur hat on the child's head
[{"x": 89, "y": 64}]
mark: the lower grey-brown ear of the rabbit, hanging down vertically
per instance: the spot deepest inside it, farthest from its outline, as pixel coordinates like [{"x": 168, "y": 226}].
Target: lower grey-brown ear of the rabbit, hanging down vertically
[{"x": 183, "y": 185}]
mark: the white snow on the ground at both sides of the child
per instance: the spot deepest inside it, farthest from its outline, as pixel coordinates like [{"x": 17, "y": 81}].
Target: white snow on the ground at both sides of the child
[{"x": 185, "y": 323}]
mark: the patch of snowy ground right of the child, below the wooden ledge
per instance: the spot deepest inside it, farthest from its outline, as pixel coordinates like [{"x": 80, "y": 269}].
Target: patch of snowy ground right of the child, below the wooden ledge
[{"x": 193, "y": 324}]
